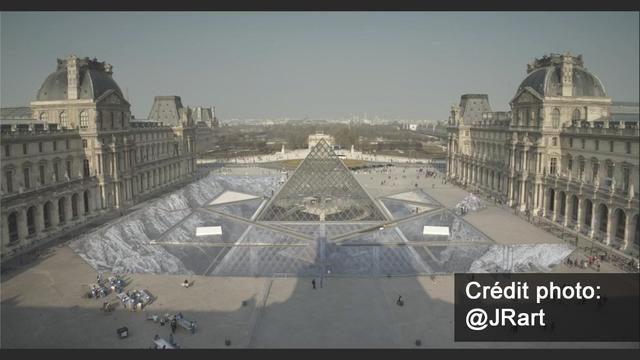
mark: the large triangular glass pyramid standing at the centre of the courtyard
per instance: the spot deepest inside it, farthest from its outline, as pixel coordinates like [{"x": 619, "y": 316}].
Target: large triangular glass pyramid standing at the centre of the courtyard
[{"x": 321, "y": 189}]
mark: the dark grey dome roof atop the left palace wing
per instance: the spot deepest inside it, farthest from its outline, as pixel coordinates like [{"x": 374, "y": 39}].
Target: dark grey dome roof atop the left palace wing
[{"x": 94, "y": 78}]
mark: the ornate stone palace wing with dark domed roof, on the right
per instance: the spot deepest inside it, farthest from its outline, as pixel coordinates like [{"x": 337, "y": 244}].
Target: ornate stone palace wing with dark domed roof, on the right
[{"x": 564, "y": 153}]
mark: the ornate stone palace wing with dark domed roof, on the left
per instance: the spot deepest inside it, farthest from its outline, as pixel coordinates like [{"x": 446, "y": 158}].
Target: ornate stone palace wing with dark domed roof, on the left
[{"x": 76, "y": 155}]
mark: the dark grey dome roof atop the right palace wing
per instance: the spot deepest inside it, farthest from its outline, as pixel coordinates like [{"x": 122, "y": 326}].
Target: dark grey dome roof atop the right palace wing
[{"x": 547, "y": 81}]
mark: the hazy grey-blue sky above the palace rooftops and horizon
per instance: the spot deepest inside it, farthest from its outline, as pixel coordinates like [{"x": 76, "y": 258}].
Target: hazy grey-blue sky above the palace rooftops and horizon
[{"x": 326, "y": 64}]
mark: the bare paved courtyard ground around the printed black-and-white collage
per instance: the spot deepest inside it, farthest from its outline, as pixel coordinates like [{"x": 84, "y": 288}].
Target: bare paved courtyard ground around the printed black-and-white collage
[{"x": 43, "y": 303}]
